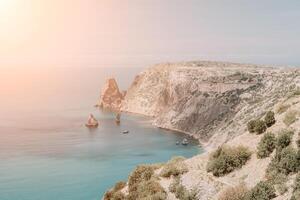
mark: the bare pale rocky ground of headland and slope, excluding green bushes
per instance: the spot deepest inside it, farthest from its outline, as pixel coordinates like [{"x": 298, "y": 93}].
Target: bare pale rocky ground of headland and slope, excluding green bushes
[{"x": 214, "y": 101}]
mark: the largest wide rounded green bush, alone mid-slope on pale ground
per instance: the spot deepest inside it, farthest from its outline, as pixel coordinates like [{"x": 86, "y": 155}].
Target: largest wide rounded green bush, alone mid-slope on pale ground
[{"x": 226, "y": 159}]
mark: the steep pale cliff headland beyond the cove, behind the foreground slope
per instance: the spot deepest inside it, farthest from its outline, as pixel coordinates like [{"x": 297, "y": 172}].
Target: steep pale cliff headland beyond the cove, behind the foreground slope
[{"x": 200, "y": 98}]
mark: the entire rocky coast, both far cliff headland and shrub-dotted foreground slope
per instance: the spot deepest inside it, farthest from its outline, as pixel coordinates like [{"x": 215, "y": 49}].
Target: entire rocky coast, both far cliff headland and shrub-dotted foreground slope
[{"x": 215, "y": 102}]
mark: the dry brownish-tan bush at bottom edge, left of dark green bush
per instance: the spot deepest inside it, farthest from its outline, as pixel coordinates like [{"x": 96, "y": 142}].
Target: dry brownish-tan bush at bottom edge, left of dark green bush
[{"x": 234, "y": 193}]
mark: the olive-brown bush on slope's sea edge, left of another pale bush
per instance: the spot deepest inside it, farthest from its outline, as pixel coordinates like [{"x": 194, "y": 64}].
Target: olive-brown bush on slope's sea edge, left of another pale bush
[{"x": 140, "y": 174}]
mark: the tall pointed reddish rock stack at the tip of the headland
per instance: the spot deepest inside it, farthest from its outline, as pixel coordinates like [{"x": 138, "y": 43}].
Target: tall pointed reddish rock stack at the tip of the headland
[{"x": 111, "y": 97}]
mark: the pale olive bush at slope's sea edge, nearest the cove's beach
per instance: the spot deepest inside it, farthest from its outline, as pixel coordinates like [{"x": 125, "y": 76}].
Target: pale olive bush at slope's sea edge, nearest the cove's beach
[{"x": 174, "y": 167}]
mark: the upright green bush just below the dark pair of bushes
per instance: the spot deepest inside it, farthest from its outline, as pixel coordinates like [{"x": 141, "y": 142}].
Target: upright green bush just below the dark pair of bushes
[{"x": 266, "y": 145}]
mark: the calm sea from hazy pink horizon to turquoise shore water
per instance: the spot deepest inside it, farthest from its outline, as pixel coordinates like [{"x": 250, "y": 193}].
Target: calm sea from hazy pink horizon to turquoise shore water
[{"x": 45, "y": 151}]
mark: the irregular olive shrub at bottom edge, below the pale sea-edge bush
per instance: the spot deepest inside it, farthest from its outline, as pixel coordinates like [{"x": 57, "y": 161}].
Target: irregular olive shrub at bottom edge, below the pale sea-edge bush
[{"x": 181, "y": 192}]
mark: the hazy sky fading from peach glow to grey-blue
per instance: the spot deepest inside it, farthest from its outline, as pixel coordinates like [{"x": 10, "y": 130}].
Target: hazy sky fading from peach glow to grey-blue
[{"x": 142, "y": 32}]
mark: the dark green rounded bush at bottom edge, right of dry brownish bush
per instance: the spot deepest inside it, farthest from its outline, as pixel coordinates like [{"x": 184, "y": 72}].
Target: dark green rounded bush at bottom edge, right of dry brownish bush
[{"x": 262, "y": 191}]
